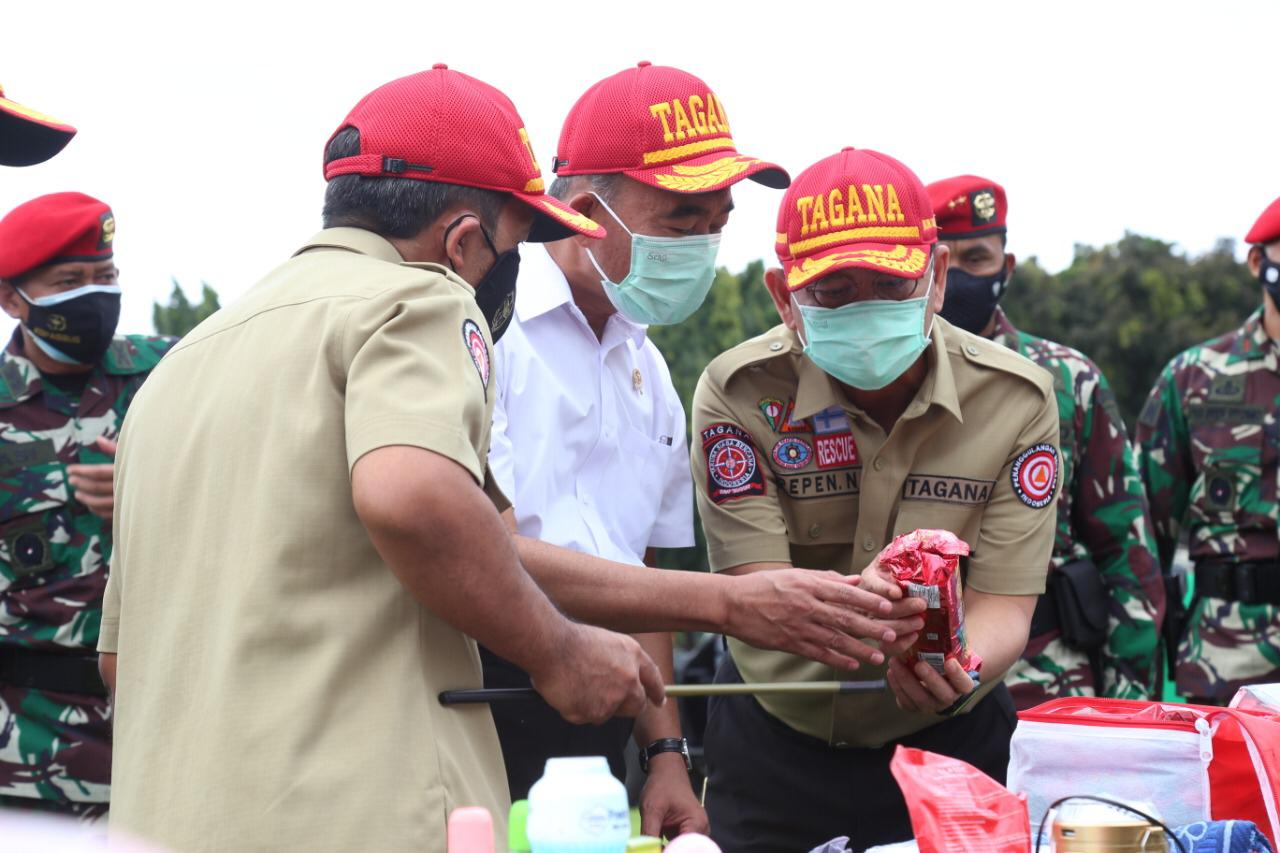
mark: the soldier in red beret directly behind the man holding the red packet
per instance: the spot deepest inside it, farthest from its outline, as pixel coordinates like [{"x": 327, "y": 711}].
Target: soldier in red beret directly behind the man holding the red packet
[{"x": 1103, "y": 512}]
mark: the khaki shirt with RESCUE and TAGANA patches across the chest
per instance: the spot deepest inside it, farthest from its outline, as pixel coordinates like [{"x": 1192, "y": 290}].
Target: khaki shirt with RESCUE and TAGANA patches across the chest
[{"x": 788, "y": 471}]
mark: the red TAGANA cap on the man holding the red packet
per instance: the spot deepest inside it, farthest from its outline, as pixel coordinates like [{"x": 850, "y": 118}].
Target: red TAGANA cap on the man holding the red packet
[{"x": 854, "y": 209}]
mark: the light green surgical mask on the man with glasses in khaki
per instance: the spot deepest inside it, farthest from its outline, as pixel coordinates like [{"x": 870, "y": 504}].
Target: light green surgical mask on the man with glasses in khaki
[{"x": 867, "y": 345}]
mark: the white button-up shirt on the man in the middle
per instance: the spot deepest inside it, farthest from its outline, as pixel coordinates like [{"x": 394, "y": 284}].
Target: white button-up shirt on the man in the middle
[{"x": 588, "y": 435}]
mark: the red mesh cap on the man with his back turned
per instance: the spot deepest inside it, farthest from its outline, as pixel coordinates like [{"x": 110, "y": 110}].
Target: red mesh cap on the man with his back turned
[{"x": 444, "y": 126}]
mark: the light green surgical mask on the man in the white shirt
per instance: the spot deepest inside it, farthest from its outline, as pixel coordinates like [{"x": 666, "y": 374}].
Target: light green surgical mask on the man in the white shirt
[{"x": 669, "y": 280}]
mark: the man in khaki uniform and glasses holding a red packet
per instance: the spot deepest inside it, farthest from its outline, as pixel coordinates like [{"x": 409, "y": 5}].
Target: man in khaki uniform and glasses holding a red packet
[{"x": 865, "y": 417}]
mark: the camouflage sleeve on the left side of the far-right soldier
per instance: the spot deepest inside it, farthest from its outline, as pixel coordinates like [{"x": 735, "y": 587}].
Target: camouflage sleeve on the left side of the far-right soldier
[{"x": 1164, "y": 450}]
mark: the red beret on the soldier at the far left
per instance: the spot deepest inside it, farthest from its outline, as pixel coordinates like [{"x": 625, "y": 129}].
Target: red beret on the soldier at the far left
[{"x": 58, "y": 229}]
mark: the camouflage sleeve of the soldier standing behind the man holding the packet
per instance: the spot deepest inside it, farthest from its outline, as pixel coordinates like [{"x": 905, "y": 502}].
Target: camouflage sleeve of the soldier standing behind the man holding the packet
[{"x": 1112, "y": 519}]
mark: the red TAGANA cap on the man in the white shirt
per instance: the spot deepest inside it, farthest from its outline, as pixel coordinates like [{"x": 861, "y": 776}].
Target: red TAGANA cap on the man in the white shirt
[{"x": 662, "y": 127}]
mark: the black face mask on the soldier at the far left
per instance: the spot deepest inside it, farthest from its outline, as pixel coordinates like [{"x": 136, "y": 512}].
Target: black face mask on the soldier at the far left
[{"x": 75, "y": 327}]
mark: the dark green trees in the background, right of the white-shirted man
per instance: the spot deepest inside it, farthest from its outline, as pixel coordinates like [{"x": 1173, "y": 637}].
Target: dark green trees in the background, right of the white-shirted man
[{"x": 1131, "y": 307}]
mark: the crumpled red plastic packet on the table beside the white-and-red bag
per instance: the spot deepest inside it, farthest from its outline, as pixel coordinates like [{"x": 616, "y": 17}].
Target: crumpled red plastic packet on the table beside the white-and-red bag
[{"x": 958, "y": 809}]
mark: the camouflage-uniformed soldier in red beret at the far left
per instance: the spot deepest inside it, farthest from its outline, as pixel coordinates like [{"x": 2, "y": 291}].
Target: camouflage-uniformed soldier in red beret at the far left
[{"x": 66, "y": 382}]
